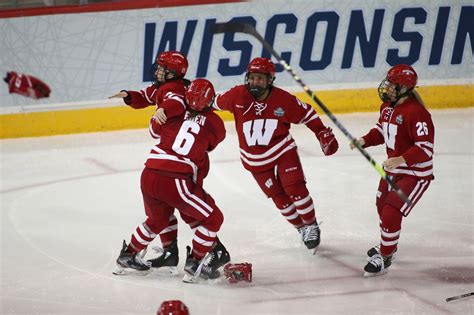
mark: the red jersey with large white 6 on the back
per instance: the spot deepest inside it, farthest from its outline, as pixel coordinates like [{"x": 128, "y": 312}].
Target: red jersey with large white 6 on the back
[{"x": 184, "y": 144}]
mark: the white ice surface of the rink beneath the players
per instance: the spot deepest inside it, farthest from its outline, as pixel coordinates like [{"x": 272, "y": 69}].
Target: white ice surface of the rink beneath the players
[{"x": 67, "y": 202}]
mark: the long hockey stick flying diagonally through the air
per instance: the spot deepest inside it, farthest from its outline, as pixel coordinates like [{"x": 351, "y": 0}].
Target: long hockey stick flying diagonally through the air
[{"x": 249, "y": 29}]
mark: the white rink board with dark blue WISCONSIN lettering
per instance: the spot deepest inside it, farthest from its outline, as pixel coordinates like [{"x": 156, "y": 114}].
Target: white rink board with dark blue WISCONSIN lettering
[{"x": 89, "y": 56}]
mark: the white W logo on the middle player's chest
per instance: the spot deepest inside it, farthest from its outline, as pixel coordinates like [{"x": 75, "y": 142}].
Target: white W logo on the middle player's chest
[{"x": 259, "y": 131}]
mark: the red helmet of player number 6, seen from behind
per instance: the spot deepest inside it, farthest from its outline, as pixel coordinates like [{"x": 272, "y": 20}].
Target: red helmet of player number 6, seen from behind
[{"x": 200, "y": 94}]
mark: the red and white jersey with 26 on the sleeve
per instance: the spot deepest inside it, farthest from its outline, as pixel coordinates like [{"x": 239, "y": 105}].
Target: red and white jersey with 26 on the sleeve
[{"x": 407, "y": 130}]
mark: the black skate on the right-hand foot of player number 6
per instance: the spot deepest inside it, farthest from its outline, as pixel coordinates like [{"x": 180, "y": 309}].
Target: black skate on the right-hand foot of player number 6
[{"x": 196, "y": 270}]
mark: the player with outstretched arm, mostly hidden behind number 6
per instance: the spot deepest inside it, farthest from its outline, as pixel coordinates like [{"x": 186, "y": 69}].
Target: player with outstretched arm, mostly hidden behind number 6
[{"x": 167, "y": 94}]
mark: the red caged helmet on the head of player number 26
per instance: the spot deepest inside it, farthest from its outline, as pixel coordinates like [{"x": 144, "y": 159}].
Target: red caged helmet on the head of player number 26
[{"x": 399, "y": 82}]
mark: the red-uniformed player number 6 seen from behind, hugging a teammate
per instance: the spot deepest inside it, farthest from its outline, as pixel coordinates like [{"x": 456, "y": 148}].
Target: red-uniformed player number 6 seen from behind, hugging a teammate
[{"x": 169, "y": 181}]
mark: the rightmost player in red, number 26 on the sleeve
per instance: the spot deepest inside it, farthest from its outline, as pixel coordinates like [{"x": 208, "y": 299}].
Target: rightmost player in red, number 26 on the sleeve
[{"x": 406, "y": 128}]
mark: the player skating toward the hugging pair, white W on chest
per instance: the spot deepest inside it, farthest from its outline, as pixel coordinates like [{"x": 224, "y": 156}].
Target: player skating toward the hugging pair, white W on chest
[{"x": 263, "y": 116}]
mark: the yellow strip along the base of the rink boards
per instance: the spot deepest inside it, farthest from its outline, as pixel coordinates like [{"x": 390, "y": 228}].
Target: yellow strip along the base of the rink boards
[{"x": 46, "y": 123}]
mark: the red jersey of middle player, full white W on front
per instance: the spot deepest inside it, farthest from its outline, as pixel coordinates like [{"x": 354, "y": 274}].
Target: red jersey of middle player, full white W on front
[{"x": 263, "y": 127}]
